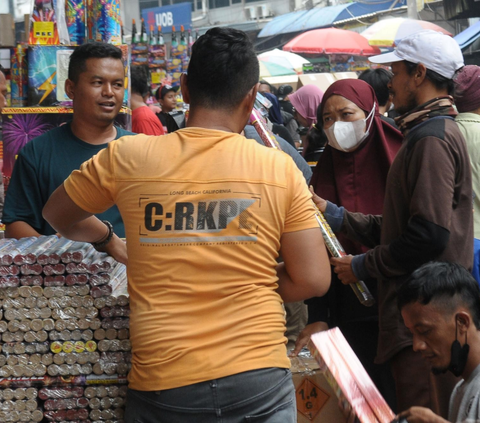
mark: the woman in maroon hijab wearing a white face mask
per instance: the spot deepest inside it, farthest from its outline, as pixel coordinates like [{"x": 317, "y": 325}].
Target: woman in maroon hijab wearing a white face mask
[{"x": 352, "y": 173}]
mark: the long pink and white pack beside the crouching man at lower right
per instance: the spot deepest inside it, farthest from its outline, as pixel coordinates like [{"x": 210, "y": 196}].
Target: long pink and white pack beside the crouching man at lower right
[{"x": 348, "y": 378}]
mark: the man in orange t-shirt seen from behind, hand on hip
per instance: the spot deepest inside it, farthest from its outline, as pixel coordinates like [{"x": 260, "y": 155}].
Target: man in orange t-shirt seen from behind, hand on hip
[{"x": 207, "y": 213}]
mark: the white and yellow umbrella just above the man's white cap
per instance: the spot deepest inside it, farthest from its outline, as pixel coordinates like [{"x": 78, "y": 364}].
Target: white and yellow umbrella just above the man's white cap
[{"x": 386, "y": 32}]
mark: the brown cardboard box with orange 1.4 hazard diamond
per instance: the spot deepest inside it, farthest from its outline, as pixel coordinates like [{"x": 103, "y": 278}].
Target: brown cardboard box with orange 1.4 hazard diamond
[{"x": 316, "y": 401}]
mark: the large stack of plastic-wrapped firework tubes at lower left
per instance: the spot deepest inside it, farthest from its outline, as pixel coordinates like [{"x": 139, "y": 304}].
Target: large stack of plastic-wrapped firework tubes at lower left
[{"x": 63, "y": 325}]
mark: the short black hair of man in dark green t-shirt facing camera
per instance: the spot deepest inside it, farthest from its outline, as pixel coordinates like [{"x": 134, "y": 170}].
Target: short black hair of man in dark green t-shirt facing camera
[{"x": 87, "y": 51}]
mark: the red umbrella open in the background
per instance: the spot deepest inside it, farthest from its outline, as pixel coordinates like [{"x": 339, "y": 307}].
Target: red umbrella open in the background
[{"x": 331, "y": 41}]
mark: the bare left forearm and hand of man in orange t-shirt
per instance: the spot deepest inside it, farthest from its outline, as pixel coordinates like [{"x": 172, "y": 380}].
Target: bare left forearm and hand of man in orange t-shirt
[{"x": 76, "y": 224}]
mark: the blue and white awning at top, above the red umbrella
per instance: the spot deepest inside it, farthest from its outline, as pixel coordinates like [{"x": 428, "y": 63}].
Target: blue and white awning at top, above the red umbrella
[{"x": 321, "y": 17}]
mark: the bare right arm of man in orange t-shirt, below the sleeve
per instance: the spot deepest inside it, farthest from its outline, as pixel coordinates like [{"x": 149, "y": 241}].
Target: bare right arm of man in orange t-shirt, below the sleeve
[{"x": 305, "y": 272}]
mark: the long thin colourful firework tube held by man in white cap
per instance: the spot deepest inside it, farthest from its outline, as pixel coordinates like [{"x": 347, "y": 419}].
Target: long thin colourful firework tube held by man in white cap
[{"x": 331, "y": 241}]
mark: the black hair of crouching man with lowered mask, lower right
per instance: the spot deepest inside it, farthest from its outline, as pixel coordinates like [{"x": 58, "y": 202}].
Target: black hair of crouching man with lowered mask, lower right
[{"x": 448, "y": 285}]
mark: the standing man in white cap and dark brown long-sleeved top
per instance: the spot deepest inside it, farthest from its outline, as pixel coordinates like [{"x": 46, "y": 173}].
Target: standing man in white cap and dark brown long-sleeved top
[{"x": 427, "y": 210}]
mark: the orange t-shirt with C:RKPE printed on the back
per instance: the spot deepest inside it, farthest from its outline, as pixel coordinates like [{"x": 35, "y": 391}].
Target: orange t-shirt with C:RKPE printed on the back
[{"x": 204, "y": 211}]
